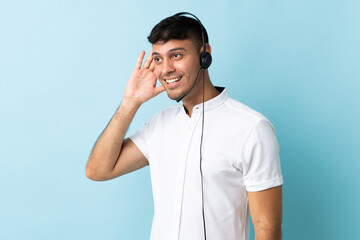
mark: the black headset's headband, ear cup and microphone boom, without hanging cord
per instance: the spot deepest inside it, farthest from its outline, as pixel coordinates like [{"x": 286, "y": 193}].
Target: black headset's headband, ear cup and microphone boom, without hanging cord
[{"x": 205, "y": 57}]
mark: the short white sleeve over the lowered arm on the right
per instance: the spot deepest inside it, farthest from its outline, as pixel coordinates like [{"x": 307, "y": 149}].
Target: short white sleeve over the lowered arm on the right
[{"x": 260, "y": 160}]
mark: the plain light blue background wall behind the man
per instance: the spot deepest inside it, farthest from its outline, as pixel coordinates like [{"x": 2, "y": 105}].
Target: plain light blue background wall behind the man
[{"x": 63, "y": 69}]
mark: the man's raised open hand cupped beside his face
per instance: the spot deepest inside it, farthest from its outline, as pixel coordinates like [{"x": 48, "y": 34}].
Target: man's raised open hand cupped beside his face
[{"x": 142, "y": 83}]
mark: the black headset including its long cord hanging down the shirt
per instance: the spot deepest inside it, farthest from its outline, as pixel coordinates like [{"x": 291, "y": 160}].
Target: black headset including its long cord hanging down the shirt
[{"x": 205, "y": 62}]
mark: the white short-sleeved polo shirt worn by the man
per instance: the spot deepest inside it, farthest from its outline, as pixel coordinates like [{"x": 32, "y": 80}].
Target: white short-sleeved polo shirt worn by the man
[{"x": 240, "y": 154}]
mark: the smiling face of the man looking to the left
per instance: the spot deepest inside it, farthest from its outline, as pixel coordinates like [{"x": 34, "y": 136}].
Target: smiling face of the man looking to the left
[{"x": 176, "y": 64}]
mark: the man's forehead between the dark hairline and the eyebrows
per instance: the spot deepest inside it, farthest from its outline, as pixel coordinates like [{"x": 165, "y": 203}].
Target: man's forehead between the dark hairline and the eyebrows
[{"x": 164, "y": 48}]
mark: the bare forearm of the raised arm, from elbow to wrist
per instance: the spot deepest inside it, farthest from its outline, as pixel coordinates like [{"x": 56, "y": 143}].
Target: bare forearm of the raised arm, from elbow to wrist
[{"x": 108, "y": 146}]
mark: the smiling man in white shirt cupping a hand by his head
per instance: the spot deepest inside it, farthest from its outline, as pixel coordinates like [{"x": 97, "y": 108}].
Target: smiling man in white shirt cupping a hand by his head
[{"x": 211, "y": 164}]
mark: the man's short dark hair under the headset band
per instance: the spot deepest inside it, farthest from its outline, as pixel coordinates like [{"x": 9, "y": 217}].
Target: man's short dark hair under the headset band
[{"x": 179, "y": 28}]
